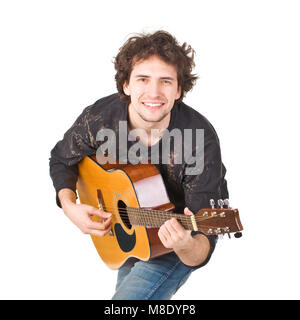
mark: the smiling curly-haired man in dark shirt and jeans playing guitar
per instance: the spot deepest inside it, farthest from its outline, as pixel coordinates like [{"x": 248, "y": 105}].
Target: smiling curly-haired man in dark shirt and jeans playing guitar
[{"x": 153, "y": 75}]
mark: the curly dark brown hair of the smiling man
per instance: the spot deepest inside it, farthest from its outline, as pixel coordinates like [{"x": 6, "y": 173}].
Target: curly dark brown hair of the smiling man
[{"x": 165, "y": 46}]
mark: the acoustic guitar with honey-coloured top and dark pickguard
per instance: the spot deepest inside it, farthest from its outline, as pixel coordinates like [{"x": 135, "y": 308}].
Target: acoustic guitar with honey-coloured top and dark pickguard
[{"x": 136, "y": 197}]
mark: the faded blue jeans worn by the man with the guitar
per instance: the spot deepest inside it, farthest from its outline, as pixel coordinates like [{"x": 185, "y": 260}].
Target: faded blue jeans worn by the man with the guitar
[{"x": 156, "y": 279}]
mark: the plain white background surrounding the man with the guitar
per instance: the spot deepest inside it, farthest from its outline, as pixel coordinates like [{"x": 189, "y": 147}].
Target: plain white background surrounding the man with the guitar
[{"x": 56, "y": 58}]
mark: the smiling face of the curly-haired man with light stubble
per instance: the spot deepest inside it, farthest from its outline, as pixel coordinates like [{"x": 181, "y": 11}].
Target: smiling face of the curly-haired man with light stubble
[{"x": 153, "y": 89}]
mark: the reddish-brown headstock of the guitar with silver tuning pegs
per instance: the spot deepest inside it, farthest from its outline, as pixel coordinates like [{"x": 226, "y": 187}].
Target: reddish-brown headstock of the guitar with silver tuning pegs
[{"x": 219, "y": 221}]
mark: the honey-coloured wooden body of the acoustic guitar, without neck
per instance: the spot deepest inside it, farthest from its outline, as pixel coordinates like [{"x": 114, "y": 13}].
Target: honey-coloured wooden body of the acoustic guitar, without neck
[{"x": 123, "y": 186}]
